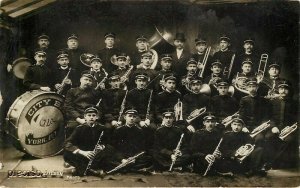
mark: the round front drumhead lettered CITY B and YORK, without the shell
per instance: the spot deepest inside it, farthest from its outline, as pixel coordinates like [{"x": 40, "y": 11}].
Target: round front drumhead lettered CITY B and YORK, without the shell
[{"x": 41, "y": 125}]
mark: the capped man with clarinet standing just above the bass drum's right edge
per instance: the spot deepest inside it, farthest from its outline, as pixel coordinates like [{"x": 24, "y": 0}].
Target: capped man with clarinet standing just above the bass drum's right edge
[{"x": 64, "y": 75}]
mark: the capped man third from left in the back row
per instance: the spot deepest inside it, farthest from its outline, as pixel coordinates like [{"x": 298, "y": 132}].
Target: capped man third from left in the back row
[{"x": 106, "y": 53}]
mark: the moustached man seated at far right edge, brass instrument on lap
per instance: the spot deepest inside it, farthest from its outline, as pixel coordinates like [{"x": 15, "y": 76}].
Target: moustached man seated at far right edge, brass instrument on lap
[{"x": 282, "y": 149}]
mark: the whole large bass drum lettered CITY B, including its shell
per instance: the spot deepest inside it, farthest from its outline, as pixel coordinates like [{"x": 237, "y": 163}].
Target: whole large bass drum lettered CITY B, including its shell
[{"x": 35, "y": 122}]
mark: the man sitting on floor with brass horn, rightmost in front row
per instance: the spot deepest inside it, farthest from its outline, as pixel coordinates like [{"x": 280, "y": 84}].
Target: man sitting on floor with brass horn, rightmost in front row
[{"x": 233, "y": 161}]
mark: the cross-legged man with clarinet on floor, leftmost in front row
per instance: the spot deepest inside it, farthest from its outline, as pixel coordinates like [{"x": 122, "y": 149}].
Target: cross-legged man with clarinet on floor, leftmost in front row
[{"x": 82, "y": 146}]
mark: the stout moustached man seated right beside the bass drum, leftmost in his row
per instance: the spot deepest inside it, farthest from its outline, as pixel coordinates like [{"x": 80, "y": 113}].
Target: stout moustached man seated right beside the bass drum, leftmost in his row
[{"x": 78, "y": 99}]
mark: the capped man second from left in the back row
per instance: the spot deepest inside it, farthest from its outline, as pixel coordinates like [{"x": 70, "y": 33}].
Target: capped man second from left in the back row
[{"x": 74, "y": 53}]
